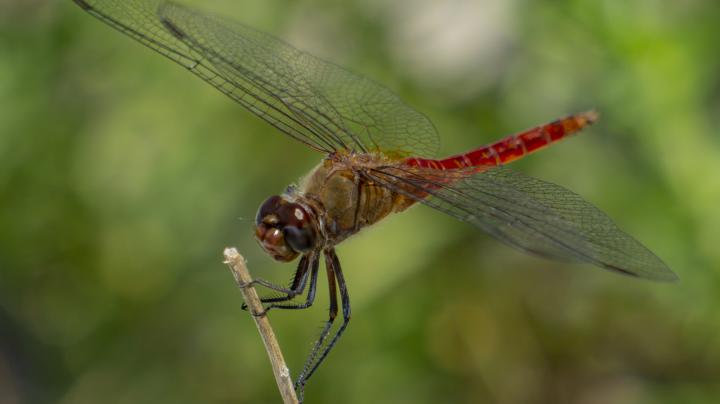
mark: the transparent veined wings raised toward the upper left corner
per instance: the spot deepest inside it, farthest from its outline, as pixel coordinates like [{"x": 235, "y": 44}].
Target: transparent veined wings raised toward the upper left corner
[{"x": 316, "y": 102}]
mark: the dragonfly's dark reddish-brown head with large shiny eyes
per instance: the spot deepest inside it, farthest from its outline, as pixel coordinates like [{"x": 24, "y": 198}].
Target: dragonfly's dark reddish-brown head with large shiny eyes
[{"x": 284, "y": 229}]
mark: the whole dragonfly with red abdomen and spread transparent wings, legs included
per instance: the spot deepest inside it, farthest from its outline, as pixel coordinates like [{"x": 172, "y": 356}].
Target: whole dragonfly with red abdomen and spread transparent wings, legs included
[{"x": 378, "y": 159}]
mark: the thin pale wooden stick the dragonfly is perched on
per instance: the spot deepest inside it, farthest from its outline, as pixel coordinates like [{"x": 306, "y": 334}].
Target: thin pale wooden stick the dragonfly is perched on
[{"x": 236, "y": 262}]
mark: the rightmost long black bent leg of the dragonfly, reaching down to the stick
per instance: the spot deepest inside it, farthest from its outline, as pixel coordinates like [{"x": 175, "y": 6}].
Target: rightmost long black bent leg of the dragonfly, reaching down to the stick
[{"x": 335, "y": 277}]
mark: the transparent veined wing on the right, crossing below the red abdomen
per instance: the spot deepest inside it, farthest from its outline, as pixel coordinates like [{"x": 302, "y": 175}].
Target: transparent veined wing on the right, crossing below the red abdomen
[{"x": 527, "y": 213}]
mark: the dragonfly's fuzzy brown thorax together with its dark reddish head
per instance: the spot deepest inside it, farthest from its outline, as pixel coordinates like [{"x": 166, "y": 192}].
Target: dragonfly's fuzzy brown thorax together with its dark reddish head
[{"x": 333, "y": 202}]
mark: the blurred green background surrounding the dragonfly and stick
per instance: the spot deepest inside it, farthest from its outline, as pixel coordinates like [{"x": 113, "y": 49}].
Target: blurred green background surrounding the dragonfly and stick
[{"x": 122, "y": 177}]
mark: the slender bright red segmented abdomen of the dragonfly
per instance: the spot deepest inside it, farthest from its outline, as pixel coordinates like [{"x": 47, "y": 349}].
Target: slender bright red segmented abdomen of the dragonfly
[{"x": 512, "y": 147}]
